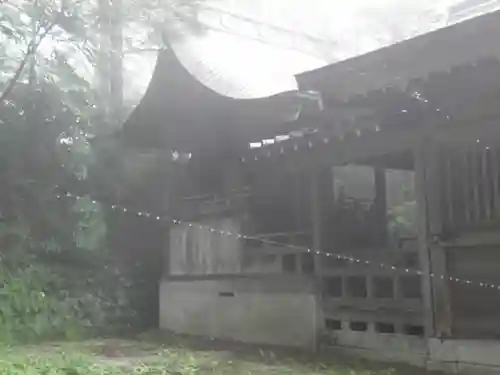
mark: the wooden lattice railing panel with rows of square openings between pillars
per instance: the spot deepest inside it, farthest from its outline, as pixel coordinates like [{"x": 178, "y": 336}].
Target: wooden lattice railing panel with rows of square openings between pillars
[{"x": 383, "y": 301}]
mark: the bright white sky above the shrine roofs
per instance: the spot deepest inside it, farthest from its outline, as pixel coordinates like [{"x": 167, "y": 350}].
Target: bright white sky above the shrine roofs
[{"x": 250, "y": 68}]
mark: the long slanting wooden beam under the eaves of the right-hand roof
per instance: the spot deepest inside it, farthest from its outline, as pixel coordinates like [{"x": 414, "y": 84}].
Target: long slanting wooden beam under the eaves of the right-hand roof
[{"x": 374, "y": 144}]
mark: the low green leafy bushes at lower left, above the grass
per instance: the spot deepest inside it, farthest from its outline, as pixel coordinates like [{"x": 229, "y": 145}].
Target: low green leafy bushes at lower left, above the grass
[{"x": 52, "y": 292}]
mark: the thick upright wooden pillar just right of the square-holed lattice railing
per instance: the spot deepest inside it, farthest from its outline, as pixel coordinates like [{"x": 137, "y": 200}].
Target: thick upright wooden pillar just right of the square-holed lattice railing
[{"x": 436, "y": 301}]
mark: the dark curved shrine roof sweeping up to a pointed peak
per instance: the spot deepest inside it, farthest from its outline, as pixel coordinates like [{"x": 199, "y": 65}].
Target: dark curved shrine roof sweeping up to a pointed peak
[{"x": 180, "y": 112}]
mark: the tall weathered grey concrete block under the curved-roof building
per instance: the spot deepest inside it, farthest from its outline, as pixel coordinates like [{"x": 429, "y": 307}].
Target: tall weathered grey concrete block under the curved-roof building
[{"x": 240, "y": 310}]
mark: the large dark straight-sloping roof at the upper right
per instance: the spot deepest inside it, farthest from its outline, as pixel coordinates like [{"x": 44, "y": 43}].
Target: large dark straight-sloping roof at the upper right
[{"x": 398, "y": 64}]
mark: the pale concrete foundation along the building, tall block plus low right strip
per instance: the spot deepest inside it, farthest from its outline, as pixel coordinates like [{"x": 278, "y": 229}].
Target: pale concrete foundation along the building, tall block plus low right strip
[{"x": 255, "y": 310}]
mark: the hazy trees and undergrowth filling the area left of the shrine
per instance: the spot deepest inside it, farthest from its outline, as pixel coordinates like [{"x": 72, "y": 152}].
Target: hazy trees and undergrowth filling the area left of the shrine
[{"x": 62, "y": 273}]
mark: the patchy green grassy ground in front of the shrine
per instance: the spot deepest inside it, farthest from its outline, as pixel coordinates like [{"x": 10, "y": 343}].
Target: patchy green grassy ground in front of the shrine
[{"x": 120, "y": 357}]
